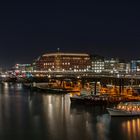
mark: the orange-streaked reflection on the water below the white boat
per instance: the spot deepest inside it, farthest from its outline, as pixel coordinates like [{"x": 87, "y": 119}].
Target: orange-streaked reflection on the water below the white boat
[{"x": 126, "y": 127}]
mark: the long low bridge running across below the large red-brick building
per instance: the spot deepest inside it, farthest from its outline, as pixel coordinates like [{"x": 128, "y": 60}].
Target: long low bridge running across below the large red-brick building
[{"x": 84, "y": 76}]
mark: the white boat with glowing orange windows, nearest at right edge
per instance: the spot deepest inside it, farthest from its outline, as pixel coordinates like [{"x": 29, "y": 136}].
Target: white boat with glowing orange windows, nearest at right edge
[{"x": 125, "y": 109}]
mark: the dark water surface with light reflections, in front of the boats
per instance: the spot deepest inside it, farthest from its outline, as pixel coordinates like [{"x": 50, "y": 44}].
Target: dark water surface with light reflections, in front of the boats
[{"x": 25, "y": 115}]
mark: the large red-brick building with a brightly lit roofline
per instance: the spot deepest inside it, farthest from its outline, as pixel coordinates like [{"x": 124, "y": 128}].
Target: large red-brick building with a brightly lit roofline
[{"x": 63, "y": 62}]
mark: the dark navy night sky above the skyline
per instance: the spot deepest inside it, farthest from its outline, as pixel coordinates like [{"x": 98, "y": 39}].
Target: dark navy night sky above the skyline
[{"x": 27, "y": 30}]
